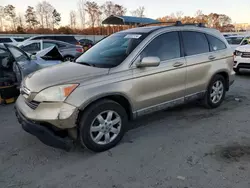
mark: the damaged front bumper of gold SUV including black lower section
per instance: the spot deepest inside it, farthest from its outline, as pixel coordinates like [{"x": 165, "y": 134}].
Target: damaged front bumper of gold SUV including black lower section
[{"x": 51, "y": 125}]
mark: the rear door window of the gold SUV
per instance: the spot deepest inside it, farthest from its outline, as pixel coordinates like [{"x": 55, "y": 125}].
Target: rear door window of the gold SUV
[{"x": 194, "y": 43}]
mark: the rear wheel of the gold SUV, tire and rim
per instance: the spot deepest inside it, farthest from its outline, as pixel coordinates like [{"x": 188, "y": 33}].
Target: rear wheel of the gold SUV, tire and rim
[{"x": 215, "y": 93}]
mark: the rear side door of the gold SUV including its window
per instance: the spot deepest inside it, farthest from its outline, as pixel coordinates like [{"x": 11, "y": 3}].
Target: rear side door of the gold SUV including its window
[{"x": 200, "y": 59}]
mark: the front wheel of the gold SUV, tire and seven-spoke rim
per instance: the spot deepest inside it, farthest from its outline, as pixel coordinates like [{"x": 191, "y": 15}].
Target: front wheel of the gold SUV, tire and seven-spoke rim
[{"x": 102, "y": 125}]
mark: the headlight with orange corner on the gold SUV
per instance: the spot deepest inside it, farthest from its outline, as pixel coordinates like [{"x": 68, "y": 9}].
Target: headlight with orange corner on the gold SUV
[{"x": 56, "y": 93}]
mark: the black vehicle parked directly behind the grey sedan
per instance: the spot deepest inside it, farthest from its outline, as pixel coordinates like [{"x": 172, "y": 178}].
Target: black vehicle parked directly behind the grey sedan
[{"x": 65, "y": 38}]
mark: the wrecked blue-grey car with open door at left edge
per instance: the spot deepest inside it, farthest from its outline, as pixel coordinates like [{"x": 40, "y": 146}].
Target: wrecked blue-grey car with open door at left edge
[{"x": 15, "y": 64}]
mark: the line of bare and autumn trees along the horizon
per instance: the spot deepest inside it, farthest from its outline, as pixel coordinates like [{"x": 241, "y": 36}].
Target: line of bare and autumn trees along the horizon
[{"x": 87, "y": 19}]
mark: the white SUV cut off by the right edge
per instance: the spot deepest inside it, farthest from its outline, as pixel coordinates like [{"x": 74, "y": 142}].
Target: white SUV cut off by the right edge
[{"x": 242, "y": 58}]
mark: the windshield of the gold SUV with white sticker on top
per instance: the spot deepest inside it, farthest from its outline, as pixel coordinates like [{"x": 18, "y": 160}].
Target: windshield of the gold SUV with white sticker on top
[{"x": 111, "y": 51}]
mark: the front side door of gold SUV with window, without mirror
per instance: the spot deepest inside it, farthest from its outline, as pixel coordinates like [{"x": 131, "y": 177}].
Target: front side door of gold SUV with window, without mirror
[{"x": 155, "y": 88}]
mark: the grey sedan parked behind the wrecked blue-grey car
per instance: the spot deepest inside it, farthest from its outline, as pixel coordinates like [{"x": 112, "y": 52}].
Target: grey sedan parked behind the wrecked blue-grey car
[{"x": 68, "y": 51}]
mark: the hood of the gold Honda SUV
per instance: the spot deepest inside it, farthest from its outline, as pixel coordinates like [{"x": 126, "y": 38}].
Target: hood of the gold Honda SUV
[{"x": 61, "y": 74}]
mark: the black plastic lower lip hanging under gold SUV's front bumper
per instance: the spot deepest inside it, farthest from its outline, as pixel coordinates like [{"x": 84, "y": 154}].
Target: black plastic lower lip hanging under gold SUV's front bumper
[{"x": 44, "y": 134}]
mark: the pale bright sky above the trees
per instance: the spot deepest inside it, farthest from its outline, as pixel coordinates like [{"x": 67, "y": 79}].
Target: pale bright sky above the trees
[{"x": 238, "y": 10}]
